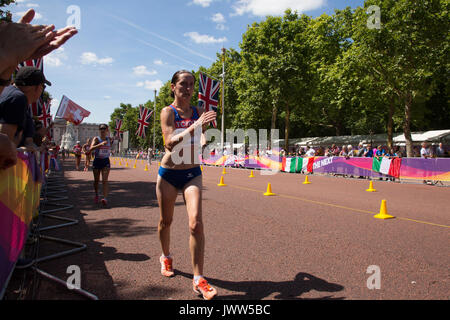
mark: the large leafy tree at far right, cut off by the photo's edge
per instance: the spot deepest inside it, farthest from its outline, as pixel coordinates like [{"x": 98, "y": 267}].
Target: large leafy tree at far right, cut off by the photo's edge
[{"x": 395, "y": 54}]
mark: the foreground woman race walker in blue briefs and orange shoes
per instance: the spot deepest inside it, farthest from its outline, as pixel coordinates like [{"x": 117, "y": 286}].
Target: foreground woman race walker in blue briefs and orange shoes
[{"x": 178, "y": 123}]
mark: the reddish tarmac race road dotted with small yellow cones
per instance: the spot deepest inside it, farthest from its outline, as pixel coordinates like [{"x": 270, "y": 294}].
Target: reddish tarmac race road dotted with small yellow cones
[{"x": 313, "y": 241}]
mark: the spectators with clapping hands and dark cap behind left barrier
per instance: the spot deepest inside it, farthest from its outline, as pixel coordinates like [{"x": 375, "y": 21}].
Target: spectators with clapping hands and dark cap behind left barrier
[{"x": 20, "y": 41}]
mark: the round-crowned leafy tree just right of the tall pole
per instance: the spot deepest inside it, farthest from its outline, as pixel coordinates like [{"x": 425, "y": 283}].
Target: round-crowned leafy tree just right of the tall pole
[{"x": 274, "y": 52}]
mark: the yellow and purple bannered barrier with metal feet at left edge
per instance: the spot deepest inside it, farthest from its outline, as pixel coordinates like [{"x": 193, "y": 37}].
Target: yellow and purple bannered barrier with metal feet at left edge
[{"x": 25, "y": 197}]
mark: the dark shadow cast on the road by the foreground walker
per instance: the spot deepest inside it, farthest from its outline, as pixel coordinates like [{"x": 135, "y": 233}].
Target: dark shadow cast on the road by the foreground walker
[{"x": 287, "y": 290}]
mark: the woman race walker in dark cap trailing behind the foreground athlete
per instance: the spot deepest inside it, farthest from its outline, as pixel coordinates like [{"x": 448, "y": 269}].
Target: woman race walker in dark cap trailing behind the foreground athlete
[{"x": 101, "y": 147}]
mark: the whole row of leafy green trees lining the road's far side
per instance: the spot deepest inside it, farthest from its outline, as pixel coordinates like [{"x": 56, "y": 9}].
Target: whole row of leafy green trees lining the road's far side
[{"x": 333, "y": 74}]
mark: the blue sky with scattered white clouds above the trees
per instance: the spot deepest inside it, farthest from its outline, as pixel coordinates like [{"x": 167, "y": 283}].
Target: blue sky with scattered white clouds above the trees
[{"x": 124, "y": 50}]
